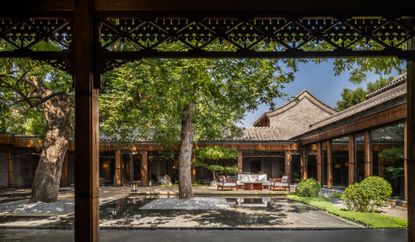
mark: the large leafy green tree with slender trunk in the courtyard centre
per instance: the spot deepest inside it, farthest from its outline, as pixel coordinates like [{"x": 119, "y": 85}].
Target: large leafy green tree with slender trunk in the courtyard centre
[{"x": 183, "y": 101}]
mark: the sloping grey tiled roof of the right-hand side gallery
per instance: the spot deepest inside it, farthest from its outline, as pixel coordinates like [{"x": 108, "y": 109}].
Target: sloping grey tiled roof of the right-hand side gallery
[{"x": 396, "y": 92}]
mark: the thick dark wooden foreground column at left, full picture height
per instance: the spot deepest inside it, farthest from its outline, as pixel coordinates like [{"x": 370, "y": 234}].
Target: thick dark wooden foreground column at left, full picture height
[{"x": 86, "y": 123}]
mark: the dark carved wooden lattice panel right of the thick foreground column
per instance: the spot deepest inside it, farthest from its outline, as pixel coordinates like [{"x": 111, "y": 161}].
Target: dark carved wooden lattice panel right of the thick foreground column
[{"x": 255, "y": 34}]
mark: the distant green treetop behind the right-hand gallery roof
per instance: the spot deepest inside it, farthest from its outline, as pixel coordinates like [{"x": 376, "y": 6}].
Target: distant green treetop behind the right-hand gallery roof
[{"x": 353, "y": 97}]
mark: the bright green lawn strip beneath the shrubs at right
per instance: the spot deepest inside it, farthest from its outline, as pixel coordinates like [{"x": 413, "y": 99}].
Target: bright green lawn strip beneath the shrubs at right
[{"x": 371, "y": 220}]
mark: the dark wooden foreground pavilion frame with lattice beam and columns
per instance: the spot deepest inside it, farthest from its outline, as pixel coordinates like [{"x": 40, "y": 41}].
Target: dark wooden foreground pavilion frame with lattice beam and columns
[{"x": 85, "y": 32}]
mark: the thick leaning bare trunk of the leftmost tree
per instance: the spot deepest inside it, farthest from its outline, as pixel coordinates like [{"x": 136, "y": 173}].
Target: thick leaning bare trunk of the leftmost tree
[{"x": 58, "y": 113}]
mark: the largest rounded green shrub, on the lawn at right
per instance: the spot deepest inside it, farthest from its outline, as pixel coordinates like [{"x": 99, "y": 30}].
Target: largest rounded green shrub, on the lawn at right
[{"x": 367, "y": 195}]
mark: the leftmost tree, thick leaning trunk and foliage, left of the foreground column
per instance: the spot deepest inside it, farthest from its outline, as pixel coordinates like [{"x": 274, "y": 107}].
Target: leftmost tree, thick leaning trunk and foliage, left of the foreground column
[{"x": 36, "y": 99}]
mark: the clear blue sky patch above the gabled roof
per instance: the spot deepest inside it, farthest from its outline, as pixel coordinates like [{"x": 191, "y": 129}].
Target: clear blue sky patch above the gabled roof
[{"x": 319, "y": 80}]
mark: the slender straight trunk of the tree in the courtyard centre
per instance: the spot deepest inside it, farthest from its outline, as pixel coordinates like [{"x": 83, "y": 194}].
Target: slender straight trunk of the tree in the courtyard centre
[{"x": 185, "y": 156}]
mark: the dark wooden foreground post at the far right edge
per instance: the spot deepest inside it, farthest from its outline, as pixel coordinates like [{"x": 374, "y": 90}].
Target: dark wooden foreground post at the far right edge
[{"x": 410, "y": 144}]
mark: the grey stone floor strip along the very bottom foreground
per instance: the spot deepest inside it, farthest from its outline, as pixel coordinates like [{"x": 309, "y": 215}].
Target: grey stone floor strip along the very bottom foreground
[{"x": 343, "y": 235}]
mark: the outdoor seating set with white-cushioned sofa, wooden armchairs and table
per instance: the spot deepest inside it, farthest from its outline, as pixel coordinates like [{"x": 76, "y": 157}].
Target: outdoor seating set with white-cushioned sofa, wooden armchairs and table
[{"x": 252, "y": 182}]
